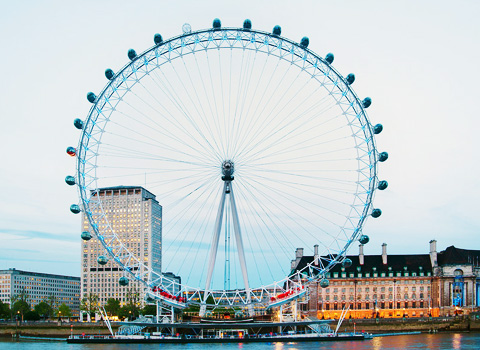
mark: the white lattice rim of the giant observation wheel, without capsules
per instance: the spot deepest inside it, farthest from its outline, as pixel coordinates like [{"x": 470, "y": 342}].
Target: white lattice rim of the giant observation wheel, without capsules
[{"x": 212, "y": 39}]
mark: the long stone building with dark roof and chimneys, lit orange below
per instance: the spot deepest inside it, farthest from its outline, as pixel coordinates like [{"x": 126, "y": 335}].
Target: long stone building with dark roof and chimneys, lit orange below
[{"x": 391, "y": 286}]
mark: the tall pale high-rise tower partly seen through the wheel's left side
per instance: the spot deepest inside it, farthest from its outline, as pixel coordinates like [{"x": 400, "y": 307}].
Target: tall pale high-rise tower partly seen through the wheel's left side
[{"x": 136, "y": 218}]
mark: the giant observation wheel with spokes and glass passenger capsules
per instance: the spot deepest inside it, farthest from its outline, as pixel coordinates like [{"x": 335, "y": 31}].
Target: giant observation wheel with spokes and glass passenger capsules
[{"x": 254, "y": 146}]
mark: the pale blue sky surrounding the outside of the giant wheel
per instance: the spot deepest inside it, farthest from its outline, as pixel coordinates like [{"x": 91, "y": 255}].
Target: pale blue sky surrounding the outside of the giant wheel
[{"x": 418, "y": 61}]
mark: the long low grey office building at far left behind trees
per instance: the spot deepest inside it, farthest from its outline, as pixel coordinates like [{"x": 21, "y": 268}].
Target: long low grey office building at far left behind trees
[{"x": 40, "y": 287}]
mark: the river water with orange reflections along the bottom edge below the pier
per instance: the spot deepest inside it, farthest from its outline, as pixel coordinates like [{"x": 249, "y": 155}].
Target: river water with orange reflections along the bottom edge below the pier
[{"x": 418, "y": 341}]
